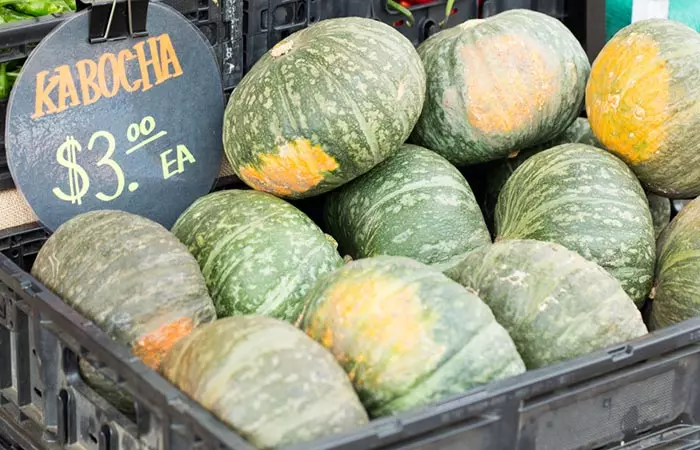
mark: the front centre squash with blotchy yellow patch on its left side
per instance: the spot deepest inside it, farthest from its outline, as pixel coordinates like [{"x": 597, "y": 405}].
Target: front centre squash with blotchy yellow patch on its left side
[{"x": 406, "y": 334}]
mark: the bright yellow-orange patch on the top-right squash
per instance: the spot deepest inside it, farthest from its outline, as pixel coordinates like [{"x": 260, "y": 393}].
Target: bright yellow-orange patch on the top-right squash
[{"x": 627, "y": 97}]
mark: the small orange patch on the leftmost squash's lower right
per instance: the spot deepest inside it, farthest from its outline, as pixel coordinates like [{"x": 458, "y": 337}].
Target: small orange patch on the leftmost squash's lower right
[{"x": 152, "y": 347}]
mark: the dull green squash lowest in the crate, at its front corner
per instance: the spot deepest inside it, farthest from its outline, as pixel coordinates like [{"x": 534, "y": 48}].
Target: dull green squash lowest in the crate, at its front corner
[{"x": 266, "y": 379}]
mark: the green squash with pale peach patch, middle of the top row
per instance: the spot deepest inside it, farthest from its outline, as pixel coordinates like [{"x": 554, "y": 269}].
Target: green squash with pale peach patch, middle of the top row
[{"x": 499, "y": 85}]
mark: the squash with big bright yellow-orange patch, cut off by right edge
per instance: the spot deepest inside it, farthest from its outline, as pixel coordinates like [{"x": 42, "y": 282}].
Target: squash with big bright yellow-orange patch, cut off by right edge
[{"x": 641, "y": 100}]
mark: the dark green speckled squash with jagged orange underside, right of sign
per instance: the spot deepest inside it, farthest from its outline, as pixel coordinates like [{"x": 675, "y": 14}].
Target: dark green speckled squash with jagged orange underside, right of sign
[{"x": 323, "y": 106}]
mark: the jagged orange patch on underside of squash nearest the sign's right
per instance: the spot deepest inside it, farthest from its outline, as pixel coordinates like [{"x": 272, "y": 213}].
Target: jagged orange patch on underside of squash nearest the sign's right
[{"x": 297, "y": 167}]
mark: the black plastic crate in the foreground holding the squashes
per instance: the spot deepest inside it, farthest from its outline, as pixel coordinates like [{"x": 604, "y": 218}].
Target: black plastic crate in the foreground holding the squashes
[{"x": 645, "y": 393}]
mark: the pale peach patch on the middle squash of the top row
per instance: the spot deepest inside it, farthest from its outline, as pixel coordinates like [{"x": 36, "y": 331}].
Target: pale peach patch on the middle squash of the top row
[{"x": 508, "y": 82}]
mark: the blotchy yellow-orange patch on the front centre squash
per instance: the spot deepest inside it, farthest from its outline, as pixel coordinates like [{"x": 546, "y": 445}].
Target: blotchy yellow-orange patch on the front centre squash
[{"x": 378, "y": 328}]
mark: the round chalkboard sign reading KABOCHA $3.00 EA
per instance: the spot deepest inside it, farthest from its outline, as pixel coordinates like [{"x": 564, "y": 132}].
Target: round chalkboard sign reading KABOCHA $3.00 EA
[{"x": 133, "y": 124}]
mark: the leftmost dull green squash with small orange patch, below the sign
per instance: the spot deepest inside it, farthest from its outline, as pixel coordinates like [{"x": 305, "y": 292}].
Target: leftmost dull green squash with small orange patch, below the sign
[{"x": 132, "y": 278}]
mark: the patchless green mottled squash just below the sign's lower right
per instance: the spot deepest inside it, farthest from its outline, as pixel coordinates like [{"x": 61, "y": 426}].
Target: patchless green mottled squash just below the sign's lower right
[{"x": 258, "y": 254}]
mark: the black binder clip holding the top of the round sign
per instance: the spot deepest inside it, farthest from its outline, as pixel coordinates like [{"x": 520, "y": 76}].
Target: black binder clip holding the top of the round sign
[{"x": 111, "y": 20}]
